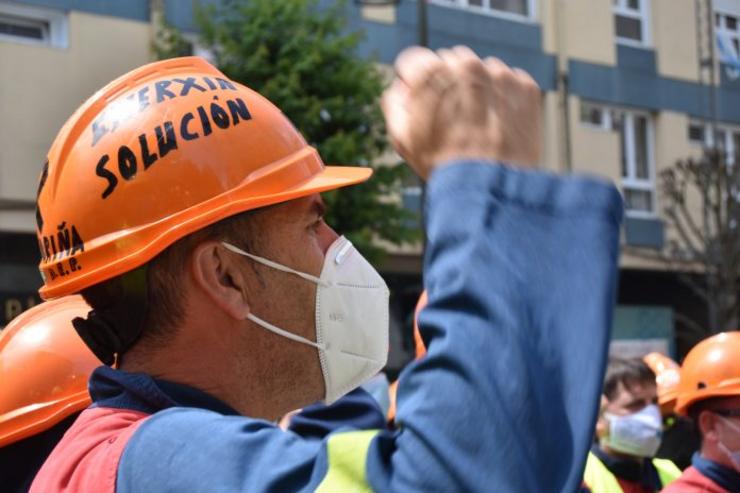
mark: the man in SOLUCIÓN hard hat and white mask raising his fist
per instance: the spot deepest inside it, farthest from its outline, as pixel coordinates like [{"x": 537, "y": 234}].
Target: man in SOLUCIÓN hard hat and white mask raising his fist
[{"x": 186, "y": 210}]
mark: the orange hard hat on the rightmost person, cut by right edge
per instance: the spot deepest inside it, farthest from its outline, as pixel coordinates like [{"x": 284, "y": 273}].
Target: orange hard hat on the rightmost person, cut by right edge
[{"x": 711, "y": 369}]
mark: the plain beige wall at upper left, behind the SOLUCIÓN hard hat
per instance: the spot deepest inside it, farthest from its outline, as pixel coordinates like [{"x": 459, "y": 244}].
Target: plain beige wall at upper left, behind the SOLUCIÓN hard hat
[{"x": 41, "y": 86}]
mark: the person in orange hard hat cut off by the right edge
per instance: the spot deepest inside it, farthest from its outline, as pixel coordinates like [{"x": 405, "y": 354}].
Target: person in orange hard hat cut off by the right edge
[{"x": 709, "y": 393}]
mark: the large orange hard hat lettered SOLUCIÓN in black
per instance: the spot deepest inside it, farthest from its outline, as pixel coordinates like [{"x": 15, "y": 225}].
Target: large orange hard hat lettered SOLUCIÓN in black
[{"x": 161, "y": 152}]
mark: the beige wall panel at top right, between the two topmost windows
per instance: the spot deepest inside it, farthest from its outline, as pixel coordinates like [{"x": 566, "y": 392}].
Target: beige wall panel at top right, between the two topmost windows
[{"x": 674, "y": 38}]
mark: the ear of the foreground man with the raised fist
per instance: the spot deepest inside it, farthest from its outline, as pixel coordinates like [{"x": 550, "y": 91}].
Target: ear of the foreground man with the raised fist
[{"x": 216, "y": 274}]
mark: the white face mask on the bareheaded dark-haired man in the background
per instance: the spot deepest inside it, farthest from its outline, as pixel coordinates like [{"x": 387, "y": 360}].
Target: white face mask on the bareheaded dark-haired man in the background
[{"x": 637, "y": 434}]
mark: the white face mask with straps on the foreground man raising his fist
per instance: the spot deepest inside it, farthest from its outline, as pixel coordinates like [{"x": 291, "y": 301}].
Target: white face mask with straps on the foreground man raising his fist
[{"x": 351, "y": 317}]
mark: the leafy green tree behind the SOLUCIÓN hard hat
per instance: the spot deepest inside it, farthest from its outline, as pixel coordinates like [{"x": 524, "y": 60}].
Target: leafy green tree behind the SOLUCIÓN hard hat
[{"x": 303, "y": 59}]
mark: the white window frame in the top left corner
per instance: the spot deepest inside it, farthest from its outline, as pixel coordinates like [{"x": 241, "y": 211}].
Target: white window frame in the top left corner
[{"x": 57, "y": 21}]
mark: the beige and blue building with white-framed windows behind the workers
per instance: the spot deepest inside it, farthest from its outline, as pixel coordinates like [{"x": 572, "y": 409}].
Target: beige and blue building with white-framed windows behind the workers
[{"x": 625, "y": 94}]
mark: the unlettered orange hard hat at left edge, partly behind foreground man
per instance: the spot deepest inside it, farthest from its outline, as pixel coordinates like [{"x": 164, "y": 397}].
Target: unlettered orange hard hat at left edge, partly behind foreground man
[{"x": 44, "y": 369}]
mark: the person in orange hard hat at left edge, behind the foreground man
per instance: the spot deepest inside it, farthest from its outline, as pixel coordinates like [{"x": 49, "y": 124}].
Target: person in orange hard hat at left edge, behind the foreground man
[{"x": 44, "y": 368}]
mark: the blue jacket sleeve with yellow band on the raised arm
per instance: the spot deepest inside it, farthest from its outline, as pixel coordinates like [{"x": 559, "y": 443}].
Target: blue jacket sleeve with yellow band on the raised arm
[{"x": 520, "y": 268}]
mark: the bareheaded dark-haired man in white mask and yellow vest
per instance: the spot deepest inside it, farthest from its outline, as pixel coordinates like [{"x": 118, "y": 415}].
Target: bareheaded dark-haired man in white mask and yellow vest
[{"x": 629, "y": 431}]
